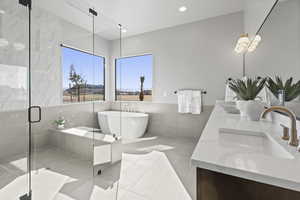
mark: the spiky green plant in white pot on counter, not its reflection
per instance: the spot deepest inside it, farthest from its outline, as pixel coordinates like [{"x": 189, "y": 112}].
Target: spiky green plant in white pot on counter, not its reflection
[{"x": 247, "y": 95}]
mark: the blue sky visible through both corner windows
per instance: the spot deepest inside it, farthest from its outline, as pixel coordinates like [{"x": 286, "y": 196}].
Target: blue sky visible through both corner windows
[{"x": 128, "y": 70}]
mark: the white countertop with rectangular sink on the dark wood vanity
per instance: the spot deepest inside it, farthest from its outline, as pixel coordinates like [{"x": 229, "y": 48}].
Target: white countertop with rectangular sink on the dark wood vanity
[{"x": 229, "y": 154}]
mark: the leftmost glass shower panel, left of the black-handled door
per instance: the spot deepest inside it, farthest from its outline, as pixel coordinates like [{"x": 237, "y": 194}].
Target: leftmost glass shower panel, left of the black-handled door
[{"x": 14, "y": 70}]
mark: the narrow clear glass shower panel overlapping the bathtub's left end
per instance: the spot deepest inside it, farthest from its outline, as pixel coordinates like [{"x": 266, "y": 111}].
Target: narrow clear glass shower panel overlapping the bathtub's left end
[{"x": 107, "y": 146}]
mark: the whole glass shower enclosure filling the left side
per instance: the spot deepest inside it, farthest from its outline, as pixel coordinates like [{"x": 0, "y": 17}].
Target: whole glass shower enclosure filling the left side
[{"x": 54, "y": 64}]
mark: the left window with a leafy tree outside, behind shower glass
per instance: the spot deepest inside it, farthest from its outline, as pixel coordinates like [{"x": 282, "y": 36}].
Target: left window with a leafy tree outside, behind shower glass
[{"x": 83, "y": 76}]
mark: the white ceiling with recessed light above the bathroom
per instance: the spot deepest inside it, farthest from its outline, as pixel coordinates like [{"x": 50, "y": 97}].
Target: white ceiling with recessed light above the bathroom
[{"x": 138, "y": 16}]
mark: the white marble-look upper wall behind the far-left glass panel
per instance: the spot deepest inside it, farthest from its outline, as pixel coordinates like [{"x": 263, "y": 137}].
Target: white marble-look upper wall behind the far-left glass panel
[{"x": 13, "y": 56}]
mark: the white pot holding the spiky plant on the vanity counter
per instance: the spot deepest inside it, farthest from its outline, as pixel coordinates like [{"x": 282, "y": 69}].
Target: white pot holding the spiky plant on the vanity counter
[{"x": 254, "y": 109}]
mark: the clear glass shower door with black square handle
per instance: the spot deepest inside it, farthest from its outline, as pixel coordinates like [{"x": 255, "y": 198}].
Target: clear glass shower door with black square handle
[{"x": 61, "y": 79}]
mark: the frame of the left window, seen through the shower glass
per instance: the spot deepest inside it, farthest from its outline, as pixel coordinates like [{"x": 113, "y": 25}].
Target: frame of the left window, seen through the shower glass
[{"x": 104, "y": 75}]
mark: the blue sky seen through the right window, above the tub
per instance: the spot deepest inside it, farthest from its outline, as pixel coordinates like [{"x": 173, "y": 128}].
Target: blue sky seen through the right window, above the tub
[{"x": 130, "y": 69}]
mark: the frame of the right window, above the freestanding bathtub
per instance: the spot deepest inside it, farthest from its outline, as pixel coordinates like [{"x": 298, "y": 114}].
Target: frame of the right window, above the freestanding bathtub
[{"x": 132, "y": 56}]
